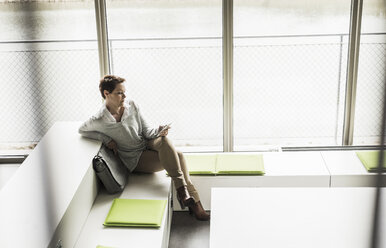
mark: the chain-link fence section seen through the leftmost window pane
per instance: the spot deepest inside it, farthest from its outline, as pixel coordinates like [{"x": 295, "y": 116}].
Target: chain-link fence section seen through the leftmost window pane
[{"x": 42, "y": 85}]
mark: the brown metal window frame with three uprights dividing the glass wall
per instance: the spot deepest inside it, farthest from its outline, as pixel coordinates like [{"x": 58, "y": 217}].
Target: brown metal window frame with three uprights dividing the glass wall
[{"x": 227, "y": 36}]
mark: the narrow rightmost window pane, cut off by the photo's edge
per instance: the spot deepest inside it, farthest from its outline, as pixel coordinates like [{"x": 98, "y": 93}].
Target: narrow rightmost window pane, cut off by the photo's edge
[{"x": 371, "y": 74}]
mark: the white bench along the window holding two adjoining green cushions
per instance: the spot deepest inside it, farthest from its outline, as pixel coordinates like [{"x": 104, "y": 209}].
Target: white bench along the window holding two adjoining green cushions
[{"x": 282, "y": 169}]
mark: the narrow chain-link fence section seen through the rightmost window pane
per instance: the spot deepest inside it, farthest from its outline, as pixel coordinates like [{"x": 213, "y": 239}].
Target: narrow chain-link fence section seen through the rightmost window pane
[{"x": 370, "y": 90}]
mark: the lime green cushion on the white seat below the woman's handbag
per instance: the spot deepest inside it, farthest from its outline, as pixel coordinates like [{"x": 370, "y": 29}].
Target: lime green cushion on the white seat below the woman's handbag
[{"x": 136, "y": 213}]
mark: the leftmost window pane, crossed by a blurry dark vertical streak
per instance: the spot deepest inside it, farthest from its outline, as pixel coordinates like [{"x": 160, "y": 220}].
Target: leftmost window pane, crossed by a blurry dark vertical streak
[{"x": 48, "y": 67}]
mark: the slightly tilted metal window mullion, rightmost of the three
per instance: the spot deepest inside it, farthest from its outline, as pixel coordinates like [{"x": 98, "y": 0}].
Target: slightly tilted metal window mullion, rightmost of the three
[{"x": 352, "y": 71}]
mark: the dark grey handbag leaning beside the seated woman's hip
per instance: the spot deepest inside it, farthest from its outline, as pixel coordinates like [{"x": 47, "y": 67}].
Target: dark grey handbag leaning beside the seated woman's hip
[{"x": 110, "y": 170}]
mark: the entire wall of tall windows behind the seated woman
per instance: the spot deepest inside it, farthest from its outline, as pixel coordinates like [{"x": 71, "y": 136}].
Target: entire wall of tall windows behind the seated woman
[{"x": 290, "y": 62}]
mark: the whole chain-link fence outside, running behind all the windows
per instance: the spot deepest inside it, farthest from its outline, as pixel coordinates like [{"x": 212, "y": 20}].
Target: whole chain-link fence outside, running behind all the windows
[{"x": 287, "y": 91}]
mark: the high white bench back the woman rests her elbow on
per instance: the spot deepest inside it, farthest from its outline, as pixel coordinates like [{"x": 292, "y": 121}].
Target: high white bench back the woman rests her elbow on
[{"x": 52, "y": 191}]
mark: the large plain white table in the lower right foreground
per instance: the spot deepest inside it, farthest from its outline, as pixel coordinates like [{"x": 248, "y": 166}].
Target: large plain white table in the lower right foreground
[{"x": 293, "y": 217}]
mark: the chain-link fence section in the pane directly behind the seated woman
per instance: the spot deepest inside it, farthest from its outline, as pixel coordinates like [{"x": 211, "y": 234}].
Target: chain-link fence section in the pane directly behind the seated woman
[{"x": 178, "y": 81}]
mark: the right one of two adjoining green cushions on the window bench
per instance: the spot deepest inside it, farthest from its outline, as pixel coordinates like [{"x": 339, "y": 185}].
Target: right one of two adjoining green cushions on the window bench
[{"x": 240, "y": 164}]
